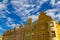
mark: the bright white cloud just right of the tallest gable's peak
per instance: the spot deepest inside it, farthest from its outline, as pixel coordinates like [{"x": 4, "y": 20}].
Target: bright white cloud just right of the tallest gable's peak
[{"x": 53, "y": 14}]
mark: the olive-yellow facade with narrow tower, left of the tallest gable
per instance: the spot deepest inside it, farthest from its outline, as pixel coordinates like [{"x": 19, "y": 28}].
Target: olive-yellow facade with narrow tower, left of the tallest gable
[{"x": 28, "y": 30}]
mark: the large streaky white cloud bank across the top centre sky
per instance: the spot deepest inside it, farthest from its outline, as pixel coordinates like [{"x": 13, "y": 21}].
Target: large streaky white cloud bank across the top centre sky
[{"x": 22, "y": 5}]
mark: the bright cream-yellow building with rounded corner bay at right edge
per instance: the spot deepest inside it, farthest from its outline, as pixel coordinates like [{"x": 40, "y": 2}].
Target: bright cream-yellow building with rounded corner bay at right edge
[{"x": 54, "y": 30}]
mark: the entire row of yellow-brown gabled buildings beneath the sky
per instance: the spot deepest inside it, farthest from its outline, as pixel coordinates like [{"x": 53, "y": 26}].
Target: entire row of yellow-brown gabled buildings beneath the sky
[{"x": 45, "y": 28}]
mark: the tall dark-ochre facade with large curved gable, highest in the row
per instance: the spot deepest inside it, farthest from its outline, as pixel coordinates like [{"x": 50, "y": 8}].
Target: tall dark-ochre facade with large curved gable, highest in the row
[{"x": 41, "y": 27}]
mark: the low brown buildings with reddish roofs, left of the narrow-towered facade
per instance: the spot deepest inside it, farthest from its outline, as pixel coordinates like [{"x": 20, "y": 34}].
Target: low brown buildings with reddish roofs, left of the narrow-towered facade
[{"x": 15, "y": 34}]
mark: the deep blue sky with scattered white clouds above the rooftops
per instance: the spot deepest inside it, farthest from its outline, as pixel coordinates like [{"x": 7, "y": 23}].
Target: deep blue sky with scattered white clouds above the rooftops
[{"x": 16, "y": 12}]
